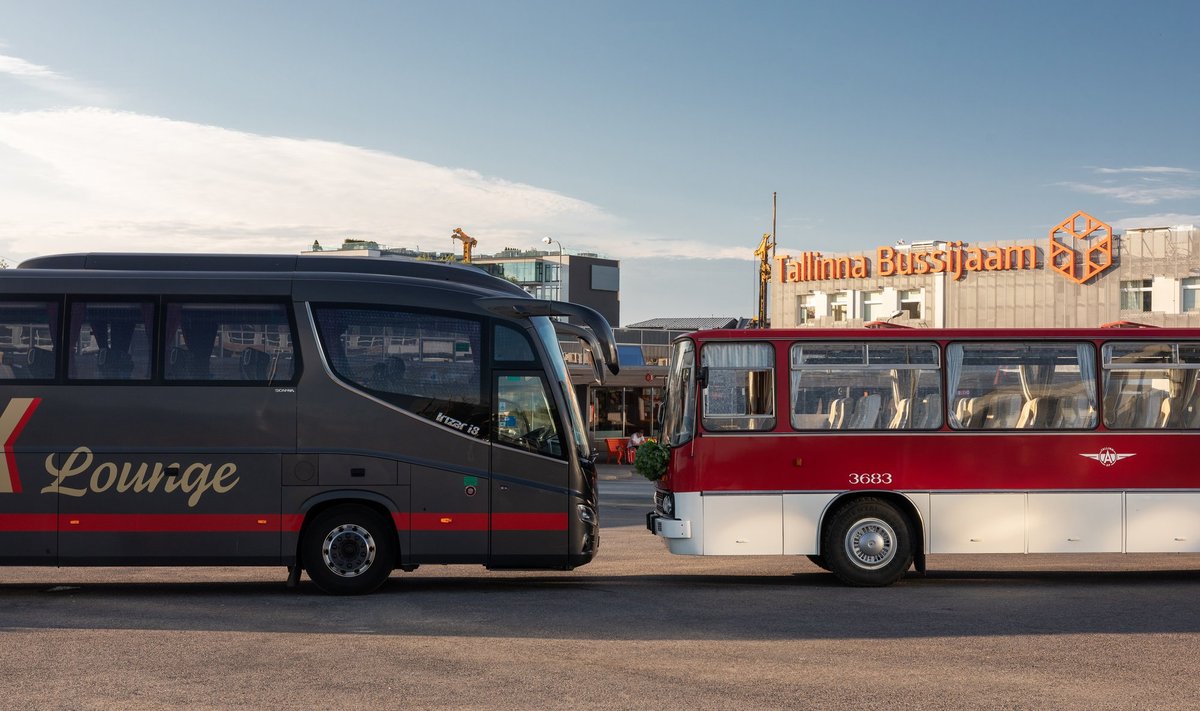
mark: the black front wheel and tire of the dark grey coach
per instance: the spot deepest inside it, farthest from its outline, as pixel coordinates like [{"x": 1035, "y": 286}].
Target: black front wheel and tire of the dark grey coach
[{"x": 349, "y": 551}]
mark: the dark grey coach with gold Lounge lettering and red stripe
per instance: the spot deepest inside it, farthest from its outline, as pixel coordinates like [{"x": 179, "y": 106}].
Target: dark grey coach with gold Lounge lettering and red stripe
[{"x": 347, "y": 416}]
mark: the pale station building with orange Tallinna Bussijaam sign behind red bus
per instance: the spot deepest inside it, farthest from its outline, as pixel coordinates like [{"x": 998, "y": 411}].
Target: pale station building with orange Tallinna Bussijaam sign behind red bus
[{"x": 1078, "y": 276}]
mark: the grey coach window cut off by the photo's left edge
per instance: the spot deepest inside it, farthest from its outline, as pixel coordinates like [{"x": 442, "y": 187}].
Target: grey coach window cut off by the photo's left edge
[{"x": 28, "y": 336}]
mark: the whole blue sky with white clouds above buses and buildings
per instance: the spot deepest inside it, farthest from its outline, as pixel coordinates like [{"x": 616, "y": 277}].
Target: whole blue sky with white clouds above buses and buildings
[{"x": 653, "y": 133}]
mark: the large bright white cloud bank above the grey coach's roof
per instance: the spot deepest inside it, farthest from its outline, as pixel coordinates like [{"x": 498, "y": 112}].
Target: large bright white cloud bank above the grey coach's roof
[{"x": 104, "y": 181}]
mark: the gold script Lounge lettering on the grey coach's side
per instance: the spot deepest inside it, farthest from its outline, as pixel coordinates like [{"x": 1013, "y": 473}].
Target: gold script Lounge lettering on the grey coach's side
[{"x": 140, "y": 479}]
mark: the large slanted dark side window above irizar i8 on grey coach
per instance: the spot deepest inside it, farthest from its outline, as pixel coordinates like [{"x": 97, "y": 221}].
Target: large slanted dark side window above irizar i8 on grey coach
[{"x": 424, "y": 363}]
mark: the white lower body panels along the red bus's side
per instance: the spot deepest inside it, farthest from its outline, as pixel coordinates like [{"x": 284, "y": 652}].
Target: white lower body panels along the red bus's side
[{"x": 956, "y": 522}]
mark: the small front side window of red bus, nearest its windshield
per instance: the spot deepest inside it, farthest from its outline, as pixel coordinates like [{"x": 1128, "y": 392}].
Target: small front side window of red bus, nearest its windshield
[{"x": 740, "y": 393}]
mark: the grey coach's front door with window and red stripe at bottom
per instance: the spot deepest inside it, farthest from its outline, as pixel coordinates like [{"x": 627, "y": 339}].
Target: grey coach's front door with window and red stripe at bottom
[{"x": 530, "y": 475}]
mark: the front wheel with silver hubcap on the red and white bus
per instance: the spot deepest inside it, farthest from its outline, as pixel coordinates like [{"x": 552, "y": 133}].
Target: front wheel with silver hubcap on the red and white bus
[{"x": 868, "y": 545}]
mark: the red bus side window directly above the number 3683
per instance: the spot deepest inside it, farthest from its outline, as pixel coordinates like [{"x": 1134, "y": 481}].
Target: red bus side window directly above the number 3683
[{"x": 866, "y": 386}]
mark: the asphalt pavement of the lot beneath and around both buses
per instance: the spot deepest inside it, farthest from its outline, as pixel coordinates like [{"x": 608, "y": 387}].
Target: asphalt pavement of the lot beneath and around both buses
[{"x": 635, "y": 629}]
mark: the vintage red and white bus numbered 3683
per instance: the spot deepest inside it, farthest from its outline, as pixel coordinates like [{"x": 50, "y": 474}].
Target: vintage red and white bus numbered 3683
[{"x": 867, "y": 450}]
